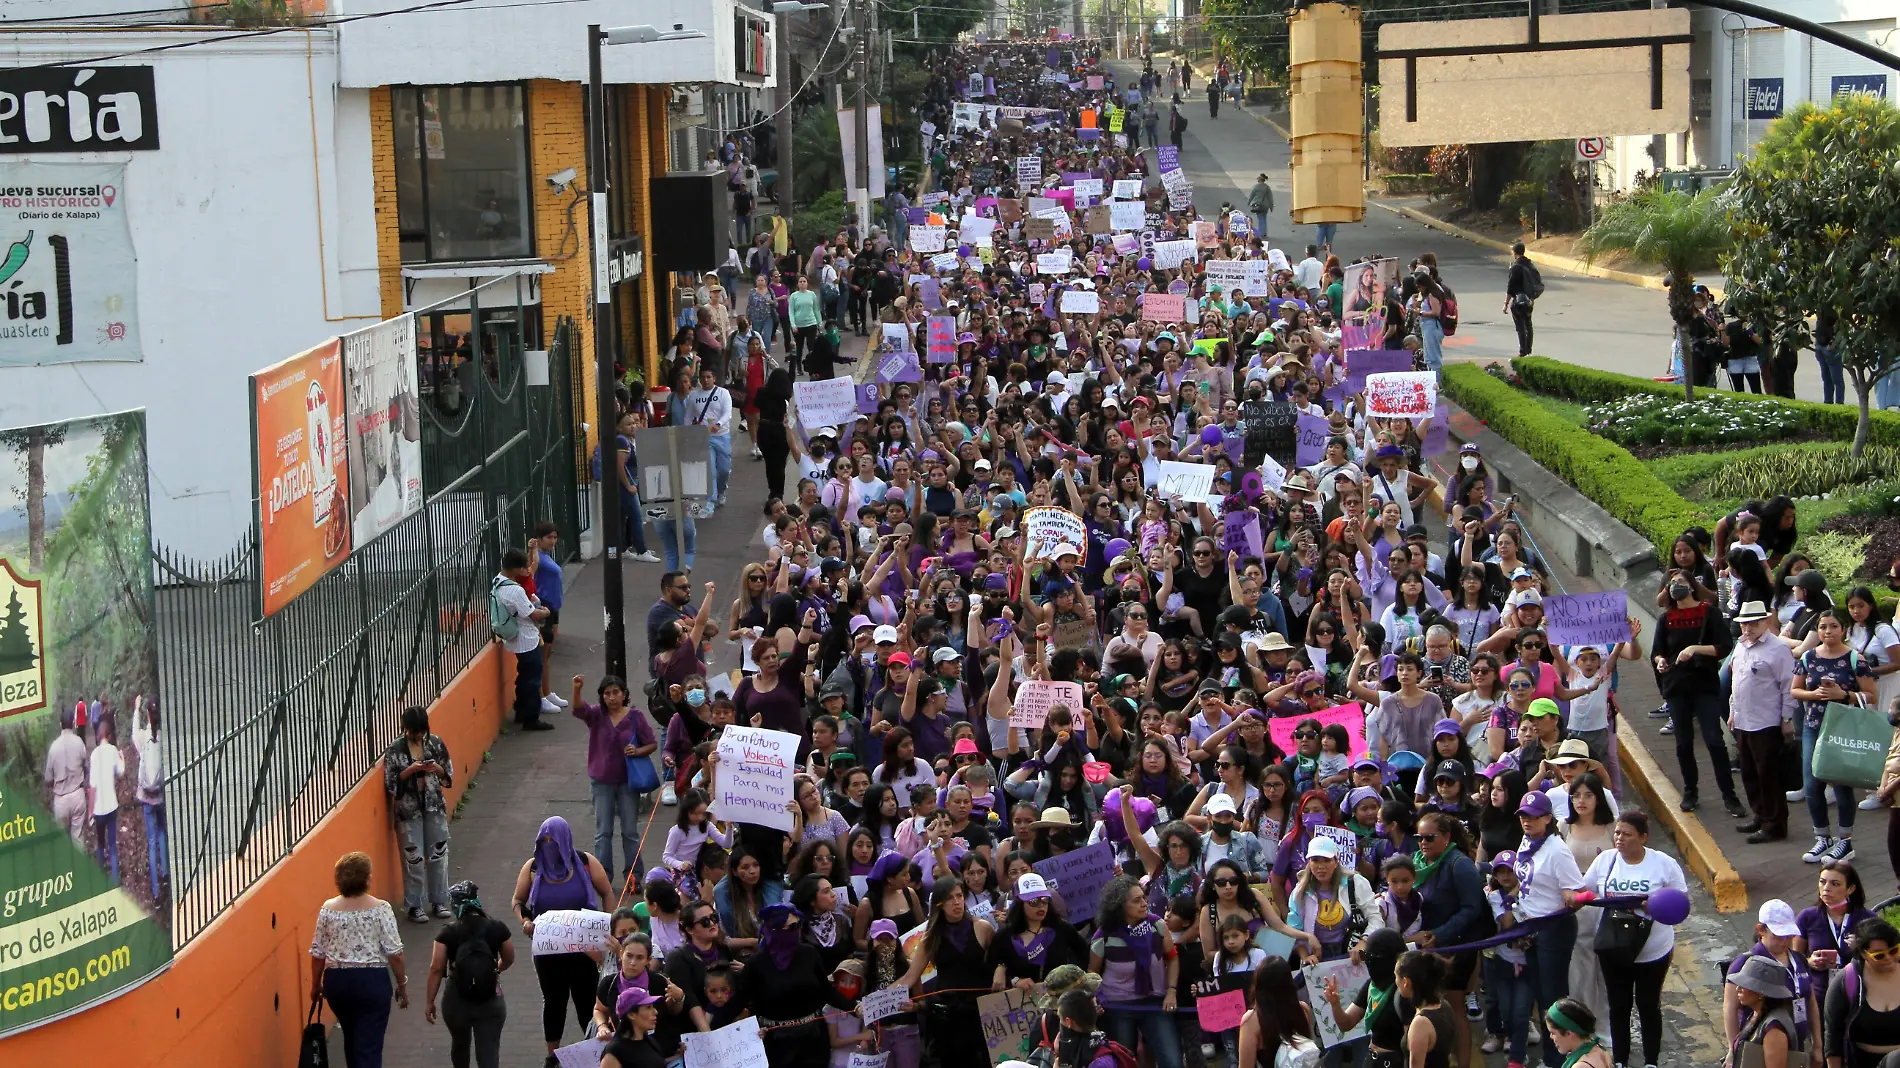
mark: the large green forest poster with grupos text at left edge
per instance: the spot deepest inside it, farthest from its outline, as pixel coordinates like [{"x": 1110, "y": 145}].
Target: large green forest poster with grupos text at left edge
[{"x": 83, "y": 805}]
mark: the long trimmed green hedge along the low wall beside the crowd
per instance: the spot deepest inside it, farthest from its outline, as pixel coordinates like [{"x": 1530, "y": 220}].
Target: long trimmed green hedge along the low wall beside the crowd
[{"x": 1599, "y": 468}]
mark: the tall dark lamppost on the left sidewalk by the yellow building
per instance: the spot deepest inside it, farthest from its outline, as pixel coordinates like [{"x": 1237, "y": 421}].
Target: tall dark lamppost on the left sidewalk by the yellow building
[{"x": 613, "y": 596}]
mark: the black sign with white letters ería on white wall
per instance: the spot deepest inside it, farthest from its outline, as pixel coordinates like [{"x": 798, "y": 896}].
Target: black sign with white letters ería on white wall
[{"x": 79, "y": 109}]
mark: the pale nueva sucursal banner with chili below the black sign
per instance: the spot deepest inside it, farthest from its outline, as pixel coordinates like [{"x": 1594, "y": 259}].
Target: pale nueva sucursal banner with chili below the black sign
[{"x": 67, "y": 273}]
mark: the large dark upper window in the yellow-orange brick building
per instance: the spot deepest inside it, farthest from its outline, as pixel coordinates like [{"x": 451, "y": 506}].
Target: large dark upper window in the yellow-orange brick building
[{"x": 463, "y": 174}]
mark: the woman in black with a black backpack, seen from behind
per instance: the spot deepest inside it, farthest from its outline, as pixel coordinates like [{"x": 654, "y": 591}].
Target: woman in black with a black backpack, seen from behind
[{"x": 472, "y": 953}]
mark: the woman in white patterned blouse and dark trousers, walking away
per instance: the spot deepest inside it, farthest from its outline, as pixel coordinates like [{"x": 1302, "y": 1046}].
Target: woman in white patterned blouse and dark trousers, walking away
[{"x": 352, "y": 957}]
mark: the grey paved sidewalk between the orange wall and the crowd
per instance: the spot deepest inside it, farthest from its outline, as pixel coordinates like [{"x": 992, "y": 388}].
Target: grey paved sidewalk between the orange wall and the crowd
[{"x": 533, "y": 776}]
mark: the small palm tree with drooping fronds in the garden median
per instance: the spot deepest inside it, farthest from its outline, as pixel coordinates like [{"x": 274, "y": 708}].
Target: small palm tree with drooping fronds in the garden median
[{"x": 1671, "y": 229}]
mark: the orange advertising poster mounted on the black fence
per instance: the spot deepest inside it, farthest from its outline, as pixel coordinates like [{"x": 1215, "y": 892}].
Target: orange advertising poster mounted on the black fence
[{"x": 303, "y": 493}]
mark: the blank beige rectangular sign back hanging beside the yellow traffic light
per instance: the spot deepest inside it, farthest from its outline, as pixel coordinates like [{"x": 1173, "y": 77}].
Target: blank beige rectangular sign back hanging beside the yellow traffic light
[{"x": 1559, "y": 79}]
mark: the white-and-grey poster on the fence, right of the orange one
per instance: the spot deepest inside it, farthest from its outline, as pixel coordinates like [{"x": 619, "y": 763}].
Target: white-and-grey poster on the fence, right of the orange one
[{"x": 385, "y": 430}]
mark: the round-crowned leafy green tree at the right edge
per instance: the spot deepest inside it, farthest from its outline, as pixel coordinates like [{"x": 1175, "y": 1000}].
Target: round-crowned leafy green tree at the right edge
[{"x": 1815, "y": 218}]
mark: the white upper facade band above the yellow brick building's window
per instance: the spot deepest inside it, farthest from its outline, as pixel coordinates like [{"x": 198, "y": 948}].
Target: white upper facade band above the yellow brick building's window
[{"x": 506, "y": 41}]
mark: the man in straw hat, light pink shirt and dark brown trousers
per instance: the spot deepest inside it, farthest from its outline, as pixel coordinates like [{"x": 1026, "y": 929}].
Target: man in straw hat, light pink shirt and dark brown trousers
[{"x": 1762, "y": 714}]
